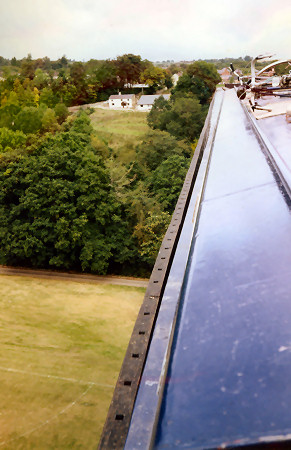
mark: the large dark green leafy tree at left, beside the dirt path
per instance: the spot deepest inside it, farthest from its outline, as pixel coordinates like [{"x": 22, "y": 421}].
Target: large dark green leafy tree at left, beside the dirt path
[{"x": 57, "y": 208}]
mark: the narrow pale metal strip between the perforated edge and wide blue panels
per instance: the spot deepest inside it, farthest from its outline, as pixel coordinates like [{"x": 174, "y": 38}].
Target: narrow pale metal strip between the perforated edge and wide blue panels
[{"x": 143, "y": 436}]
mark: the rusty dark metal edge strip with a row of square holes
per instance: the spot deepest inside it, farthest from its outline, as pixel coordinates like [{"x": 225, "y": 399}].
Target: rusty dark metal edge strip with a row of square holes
[{"x": 120, "y": 411}]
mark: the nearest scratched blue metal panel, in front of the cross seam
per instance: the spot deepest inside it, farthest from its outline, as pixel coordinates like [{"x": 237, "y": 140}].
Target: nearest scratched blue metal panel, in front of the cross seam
[{"x": 231, "y": 365}]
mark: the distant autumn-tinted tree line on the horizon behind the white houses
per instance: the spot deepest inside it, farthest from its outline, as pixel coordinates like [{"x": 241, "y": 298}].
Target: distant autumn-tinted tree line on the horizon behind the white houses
[{"x": 75, "y": 83}]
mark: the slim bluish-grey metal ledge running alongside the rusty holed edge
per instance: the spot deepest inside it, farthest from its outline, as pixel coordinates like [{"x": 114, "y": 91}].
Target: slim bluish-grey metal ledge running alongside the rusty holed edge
[{"x": 148, "y": 401}]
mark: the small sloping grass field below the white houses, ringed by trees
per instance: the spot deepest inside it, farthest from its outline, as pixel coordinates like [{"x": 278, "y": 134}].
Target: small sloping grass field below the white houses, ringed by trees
[{"x": 122, "y": 130}]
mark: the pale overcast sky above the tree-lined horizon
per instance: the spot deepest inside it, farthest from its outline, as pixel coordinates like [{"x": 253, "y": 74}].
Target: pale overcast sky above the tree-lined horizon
[{"x": 155, "y": 29}]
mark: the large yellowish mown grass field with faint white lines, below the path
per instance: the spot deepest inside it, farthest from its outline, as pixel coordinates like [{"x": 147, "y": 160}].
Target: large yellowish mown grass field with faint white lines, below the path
[{"x": 62, "y": 345}]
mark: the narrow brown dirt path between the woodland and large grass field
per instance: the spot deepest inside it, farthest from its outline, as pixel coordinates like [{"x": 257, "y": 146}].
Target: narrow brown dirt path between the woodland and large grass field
[{"x": 84, "y": 278}]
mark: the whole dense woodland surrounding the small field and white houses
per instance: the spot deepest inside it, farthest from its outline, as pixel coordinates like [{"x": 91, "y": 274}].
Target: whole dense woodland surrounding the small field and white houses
[{"x": 67, "y": 201}]
